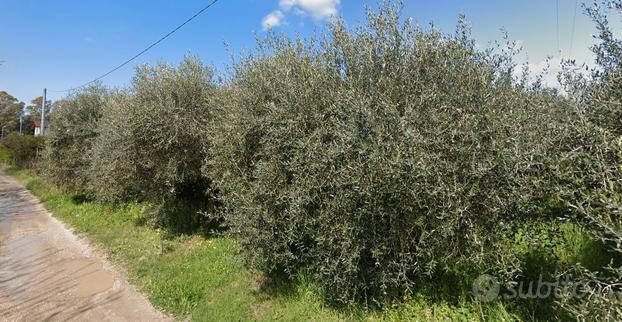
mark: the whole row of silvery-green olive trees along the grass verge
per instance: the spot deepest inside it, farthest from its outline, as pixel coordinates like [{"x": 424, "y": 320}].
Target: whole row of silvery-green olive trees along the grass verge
[{"x": 367, "y": 158}]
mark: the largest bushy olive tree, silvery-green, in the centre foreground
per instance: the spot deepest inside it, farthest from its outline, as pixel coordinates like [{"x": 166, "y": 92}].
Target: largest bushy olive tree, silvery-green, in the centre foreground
[{"x": 377, "y": 157}]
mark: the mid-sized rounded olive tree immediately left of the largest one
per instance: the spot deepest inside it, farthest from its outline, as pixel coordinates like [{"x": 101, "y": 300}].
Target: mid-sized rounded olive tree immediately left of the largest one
[{"x": 150, "y": 141}]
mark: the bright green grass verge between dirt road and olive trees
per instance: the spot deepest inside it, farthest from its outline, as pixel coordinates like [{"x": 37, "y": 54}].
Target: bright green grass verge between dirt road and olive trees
[{"x": 204, "y": 279}]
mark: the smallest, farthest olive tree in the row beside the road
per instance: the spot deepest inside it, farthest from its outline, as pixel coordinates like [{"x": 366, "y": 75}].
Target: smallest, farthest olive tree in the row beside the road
[{"x": 70, "y": 138}]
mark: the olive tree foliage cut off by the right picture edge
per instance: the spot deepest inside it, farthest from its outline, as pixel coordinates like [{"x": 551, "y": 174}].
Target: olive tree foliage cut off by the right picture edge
[{"x": 596, "y": 195}]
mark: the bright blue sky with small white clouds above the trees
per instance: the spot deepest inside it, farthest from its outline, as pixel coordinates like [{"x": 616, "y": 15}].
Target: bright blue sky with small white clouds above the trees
[{"x": 64, "y": 43}]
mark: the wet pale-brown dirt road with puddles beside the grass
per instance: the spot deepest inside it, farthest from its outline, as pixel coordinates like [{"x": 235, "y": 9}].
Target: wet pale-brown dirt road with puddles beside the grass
[{"x": 47, "y": 273}]
